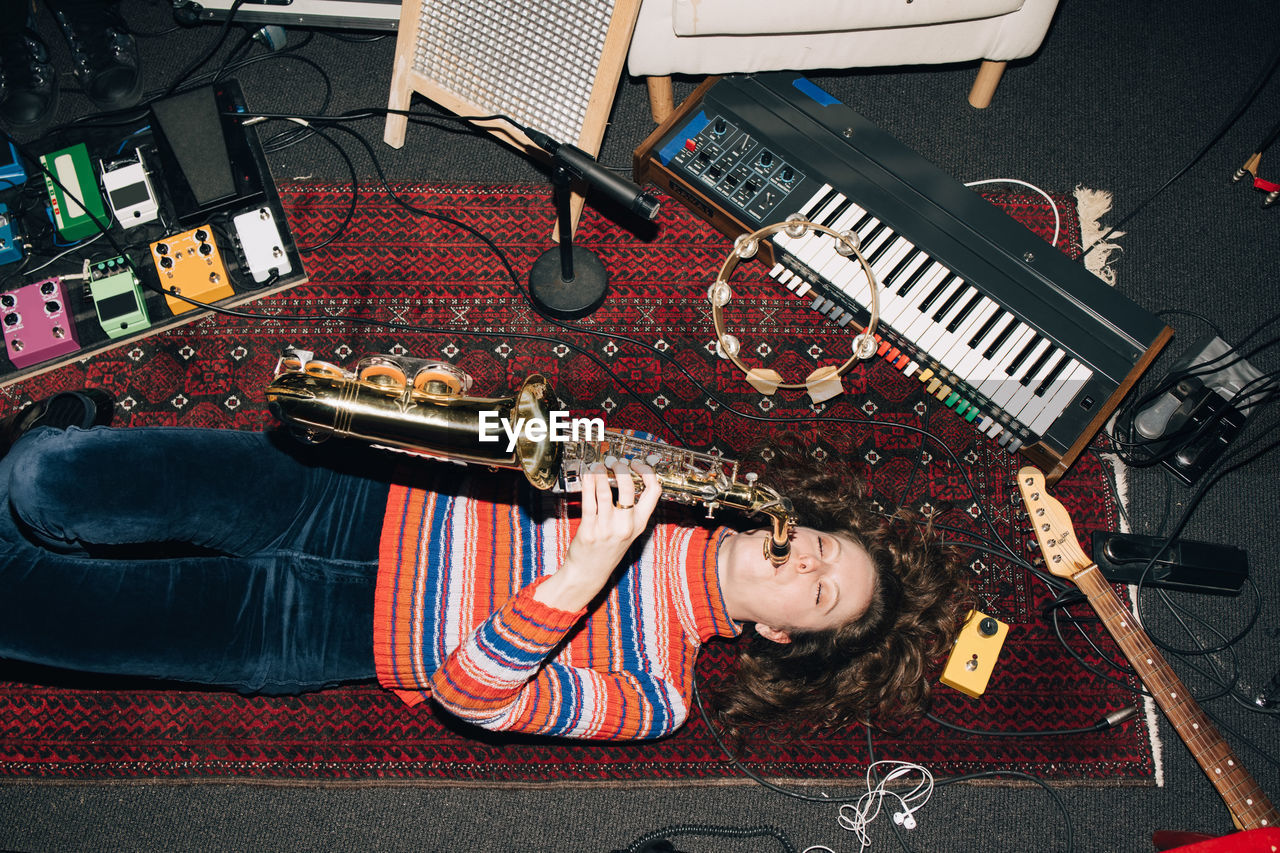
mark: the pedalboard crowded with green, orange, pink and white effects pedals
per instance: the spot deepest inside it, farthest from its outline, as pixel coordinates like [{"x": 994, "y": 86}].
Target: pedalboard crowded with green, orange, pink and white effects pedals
[{"x": 145, "y": 225}]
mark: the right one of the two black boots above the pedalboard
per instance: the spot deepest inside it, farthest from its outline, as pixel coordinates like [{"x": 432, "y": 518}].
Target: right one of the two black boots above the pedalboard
[{"x": 104, "y": 56}]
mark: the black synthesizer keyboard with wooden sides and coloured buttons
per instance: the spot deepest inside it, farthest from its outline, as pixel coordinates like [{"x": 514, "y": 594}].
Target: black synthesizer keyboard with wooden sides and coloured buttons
[{"x": 1011, "y": 334}]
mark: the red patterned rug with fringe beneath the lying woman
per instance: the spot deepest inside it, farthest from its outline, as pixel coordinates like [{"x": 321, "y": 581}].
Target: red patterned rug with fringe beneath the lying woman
[{"x": 401, "y": 267}]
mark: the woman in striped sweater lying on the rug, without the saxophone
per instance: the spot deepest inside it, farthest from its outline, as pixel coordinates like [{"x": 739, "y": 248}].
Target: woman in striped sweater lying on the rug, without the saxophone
[{"x": 250, "y": 562}]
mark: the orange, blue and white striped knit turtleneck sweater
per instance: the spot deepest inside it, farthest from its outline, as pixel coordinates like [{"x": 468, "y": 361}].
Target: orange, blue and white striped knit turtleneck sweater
[{"x": 456, "y": 619}]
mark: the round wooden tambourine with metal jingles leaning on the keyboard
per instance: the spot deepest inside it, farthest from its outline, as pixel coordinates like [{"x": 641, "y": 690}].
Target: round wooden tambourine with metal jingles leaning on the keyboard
[{"x": 824, "y": 382}]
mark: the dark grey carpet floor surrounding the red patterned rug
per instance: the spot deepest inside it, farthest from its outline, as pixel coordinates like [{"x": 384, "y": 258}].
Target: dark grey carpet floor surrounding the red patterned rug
[{"x": 1122, "y": 97}]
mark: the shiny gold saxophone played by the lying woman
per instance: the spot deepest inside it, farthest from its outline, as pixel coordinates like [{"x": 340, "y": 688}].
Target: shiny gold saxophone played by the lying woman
[{"x": 422, "y": 408}]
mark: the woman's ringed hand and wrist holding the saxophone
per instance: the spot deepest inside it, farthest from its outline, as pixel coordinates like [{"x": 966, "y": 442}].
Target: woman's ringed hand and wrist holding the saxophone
[{"x": 604, "y": 536}]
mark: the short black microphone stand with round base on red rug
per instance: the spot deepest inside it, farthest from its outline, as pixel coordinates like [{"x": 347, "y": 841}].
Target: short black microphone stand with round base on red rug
[{"x": 568, "y": 282}]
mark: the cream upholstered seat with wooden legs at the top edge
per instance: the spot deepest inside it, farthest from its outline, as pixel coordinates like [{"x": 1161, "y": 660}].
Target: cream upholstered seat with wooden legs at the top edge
[{"x": 744, "y": 37}]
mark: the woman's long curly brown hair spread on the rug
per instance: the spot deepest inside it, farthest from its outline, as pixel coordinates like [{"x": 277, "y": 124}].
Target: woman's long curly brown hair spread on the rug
[{"x": 876, "y": 669}]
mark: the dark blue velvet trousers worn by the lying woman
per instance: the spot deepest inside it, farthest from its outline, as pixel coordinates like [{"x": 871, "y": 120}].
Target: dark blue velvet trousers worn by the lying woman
[{"x": 214, "y": 558}]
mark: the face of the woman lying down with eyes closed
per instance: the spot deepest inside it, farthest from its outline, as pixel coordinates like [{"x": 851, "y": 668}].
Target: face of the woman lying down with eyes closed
[{"x": 826, "y": 582}]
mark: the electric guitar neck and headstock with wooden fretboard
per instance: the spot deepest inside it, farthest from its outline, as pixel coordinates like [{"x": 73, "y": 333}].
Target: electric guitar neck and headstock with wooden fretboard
[{"x": 1066, "y": 558}]
